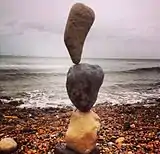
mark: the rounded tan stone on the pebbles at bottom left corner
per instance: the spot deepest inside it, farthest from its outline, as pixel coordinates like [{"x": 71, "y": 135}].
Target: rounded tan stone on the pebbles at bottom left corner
[{"x": 7, "y": 145}]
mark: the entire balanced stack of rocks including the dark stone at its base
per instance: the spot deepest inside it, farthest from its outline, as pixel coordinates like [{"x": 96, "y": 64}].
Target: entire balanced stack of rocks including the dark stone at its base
[{"x": 83, "y": 83}]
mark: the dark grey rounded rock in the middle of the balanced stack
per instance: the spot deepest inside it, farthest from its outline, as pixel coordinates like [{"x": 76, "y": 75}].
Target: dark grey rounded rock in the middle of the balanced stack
[{"x": 83, "y": 83}]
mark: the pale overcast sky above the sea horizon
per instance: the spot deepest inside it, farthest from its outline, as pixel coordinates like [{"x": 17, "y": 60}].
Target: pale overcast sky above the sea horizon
[{"x": 123, "y": 28}]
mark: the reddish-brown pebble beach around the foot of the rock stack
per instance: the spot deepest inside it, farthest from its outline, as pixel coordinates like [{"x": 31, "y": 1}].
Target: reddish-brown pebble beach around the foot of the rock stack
[{"x": 39, "y": 130}]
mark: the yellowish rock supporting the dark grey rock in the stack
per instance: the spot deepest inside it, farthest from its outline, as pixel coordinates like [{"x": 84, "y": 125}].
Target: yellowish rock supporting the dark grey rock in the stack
[{"x": 81, "y": 135}]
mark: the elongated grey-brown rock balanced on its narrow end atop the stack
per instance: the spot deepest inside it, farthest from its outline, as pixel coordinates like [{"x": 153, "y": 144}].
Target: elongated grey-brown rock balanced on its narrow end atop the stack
[{"x": 80, "y": 20}]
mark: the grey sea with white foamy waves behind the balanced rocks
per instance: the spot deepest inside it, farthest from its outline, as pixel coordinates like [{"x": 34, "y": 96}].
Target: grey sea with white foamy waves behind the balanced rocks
[{"x": 40, "y": 82}]
